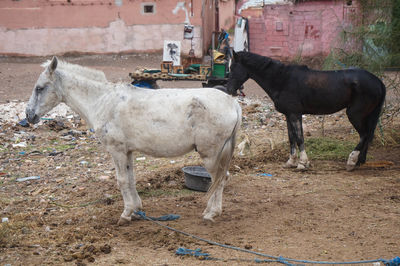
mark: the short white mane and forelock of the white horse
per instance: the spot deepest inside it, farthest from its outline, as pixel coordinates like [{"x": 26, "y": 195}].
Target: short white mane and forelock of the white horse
[{"x": 85, "y": 72}]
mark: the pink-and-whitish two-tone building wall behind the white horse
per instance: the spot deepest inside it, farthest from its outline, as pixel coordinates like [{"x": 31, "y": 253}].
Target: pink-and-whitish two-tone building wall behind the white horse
[{"x": 47, "y": 27}]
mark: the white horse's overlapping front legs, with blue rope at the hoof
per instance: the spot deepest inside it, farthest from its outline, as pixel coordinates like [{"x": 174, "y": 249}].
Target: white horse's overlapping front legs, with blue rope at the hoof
[{"x": 126, "y": 182}]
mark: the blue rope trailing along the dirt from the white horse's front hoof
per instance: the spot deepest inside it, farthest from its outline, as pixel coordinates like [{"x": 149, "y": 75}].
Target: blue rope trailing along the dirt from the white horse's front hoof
[{"x": 280, "y": 259}]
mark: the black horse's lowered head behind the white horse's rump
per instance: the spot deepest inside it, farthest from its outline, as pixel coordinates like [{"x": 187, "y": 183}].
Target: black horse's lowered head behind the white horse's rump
[{"x": 238, "y": 75}]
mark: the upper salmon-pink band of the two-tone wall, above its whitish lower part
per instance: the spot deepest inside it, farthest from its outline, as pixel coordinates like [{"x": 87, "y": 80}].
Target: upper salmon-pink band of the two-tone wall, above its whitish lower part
[{"x": 90, "y": 13}]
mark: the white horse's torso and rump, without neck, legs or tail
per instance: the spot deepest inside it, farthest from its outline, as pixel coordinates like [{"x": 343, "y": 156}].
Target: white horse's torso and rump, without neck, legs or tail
[{"x": 171, "y": 122}]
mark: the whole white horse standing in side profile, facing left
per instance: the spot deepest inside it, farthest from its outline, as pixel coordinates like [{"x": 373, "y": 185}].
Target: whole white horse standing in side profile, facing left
[{"x": 161, "y": 123}]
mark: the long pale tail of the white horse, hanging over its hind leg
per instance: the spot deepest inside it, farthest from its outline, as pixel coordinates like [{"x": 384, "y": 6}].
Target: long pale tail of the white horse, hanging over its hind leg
[{"x": 225, "y": 155}]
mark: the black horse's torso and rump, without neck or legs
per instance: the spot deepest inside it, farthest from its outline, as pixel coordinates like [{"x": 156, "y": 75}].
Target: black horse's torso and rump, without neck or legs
[{"x": 325, "y": 92}]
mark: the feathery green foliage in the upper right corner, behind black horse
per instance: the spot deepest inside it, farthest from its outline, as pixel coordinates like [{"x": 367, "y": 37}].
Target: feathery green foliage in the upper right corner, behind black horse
[{"x": 371, "y": 41}]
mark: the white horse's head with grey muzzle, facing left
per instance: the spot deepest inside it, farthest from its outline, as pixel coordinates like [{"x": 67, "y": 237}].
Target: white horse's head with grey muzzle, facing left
[{"x": 45, "y": 95}]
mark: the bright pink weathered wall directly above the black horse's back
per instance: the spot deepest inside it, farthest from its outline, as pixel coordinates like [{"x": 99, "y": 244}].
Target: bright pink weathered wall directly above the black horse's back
[{"x": 304, "y": 29}]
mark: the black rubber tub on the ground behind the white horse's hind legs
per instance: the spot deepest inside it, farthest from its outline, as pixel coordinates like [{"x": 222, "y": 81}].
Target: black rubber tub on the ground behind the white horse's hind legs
[{"x": 197, "y": 178}]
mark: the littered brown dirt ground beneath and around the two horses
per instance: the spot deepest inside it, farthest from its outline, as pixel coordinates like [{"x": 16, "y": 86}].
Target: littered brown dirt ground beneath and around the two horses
[{"x": 69, "y": 215}]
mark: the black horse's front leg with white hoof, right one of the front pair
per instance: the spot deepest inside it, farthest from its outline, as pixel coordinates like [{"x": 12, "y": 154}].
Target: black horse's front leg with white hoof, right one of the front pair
[{"x": 295, "y": 121}]
